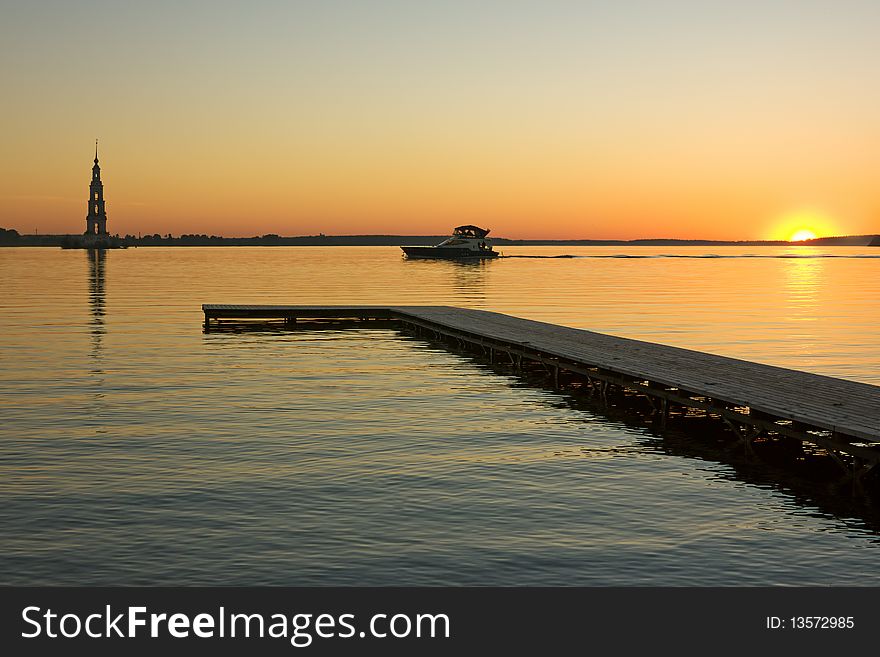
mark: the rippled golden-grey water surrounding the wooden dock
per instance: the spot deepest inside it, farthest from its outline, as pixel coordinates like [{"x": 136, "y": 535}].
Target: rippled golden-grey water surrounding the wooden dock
[{"x": 135, "y": 449}]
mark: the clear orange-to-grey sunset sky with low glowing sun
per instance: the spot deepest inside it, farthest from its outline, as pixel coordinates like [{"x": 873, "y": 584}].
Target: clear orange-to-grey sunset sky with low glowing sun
[{"x": 615, "y": 119}]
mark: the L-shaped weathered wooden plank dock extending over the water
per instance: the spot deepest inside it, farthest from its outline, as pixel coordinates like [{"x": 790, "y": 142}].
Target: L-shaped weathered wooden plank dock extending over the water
[{"x": 840, "y": 416}]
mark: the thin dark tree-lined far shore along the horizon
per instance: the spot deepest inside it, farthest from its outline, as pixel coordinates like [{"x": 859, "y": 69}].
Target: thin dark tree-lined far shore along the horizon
[{"x": 13, "y": 238}]
